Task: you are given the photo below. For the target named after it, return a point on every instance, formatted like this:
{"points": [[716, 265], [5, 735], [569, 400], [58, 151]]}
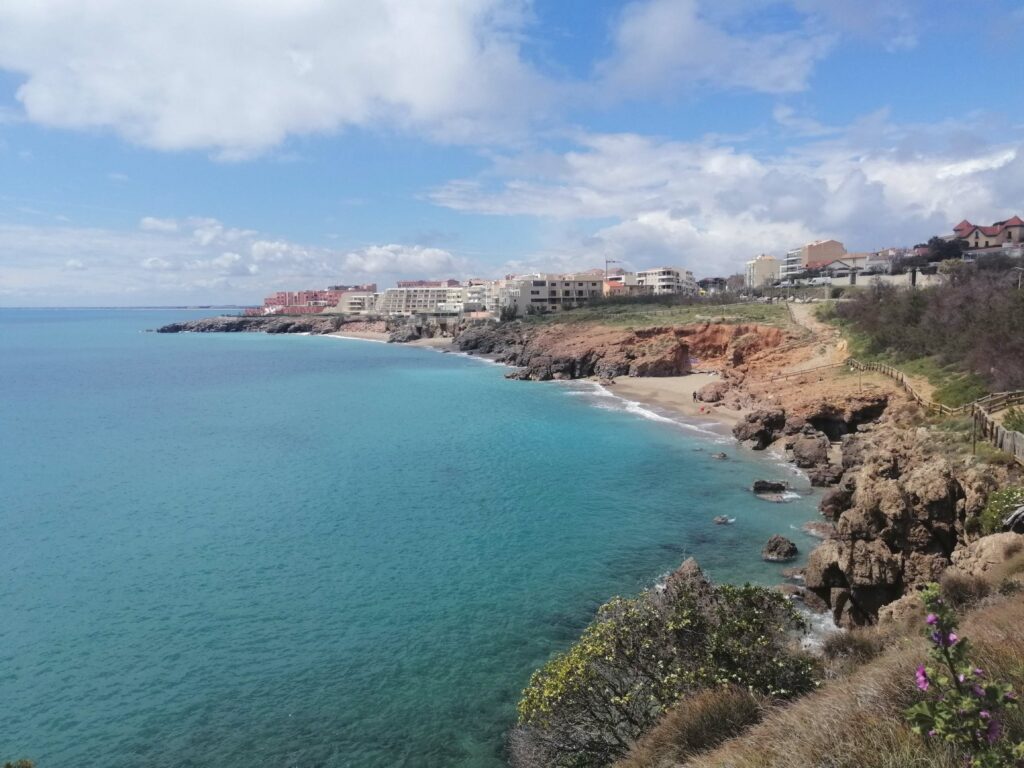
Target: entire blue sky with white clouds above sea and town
{"points": [[201, 152]]}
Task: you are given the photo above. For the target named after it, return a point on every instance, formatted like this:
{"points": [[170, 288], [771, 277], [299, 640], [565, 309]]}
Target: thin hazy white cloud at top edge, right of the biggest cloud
{"points": [[662, 47]]}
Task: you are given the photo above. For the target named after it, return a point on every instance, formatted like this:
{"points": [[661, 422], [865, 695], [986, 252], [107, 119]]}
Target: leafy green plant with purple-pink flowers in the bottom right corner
{"points": [[963, 707]]}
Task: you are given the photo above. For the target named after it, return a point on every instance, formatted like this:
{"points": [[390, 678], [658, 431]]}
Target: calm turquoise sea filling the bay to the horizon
{"points": [[248, 550]]}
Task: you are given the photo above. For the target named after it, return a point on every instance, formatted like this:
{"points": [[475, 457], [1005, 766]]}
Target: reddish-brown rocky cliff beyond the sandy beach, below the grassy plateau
{"points": [[574, 352]]}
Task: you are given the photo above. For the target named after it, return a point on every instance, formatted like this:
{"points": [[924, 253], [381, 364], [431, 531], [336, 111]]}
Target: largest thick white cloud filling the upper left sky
{"points": [[240, 77]]}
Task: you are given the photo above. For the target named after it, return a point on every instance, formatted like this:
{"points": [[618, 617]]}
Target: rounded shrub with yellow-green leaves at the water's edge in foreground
{"points": [[587, 706]]}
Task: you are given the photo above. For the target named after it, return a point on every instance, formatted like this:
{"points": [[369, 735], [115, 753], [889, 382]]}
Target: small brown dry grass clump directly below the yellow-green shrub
{"points": [[696, 724]]}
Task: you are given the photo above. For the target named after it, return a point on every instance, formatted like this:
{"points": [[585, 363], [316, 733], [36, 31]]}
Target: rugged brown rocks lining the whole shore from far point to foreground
{"points": [[897, 509]]}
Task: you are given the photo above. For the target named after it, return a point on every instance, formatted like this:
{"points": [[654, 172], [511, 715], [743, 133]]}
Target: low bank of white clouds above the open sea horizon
{"points": [[201, 262]]}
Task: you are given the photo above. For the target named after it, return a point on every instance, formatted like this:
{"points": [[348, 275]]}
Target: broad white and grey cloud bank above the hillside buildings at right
{"points": [[710, 205]]}
